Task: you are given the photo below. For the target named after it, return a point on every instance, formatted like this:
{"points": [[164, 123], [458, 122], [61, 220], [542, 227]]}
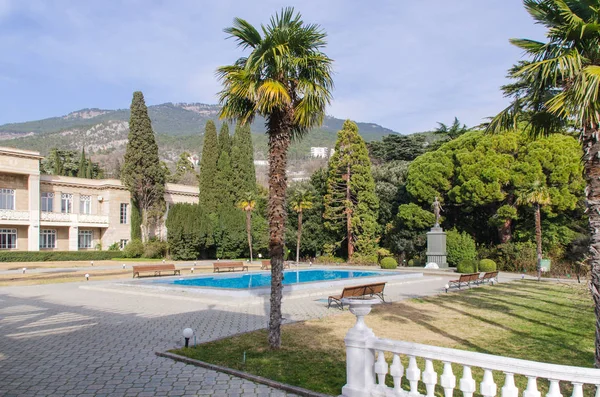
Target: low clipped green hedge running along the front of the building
{"points": [[53, 256]]}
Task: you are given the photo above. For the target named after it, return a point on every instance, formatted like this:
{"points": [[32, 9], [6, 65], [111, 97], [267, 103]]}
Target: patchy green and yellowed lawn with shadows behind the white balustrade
{"points": [[536, 321]]}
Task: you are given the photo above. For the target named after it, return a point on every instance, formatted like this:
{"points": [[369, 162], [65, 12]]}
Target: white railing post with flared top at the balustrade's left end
{"points": [[360, 360]]}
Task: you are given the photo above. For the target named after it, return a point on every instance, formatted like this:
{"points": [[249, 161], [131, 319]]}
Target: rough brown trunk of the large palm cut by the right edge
{"points": [[591, 146]]}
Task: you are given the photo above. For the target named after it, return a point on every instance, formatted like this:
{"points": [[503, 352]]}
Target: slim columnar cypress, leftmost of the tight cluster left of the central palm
{"points": [[208, 169]]}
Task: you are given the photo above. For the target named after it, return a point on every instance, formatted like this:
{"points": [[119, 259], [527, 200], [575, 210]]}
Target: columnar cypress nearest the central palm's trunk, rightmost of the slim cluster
{"points": [[242, 162]]}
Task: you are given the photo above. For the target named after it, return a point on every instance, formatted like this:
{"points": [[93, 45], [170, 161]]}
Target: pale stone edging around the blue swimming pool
{"points": [[319, 286]]}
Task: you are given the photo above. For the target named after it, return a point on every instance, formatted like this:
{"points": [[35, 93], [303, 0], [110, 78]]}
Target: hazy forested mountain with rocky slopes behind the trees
{"points": [[178, 127]]}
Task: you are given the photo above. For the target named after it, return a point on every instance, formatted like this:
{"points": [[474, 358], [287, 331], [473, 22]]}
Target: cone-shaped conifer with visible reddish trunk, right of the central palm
{"points": [[351, 205]]}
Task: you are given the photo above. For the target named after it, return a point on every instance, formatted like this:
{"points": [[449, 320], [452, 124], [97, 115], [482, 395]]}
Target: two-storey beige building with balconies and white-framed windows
{"points": [[48, 212]]}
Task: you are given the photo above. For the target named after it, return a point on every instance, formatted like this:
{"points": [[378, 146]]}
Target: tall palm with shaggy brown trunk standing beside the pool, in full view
{"points": [[286, 79]]}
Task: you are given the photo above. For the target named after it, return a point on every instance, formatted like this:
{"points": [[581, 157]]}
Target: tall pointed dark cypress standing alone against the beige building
{"points": [[142, 172]]}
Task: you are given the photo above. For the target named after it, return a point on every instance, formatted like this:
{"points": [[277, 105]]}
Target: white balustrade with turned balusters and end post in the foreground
{"points": [[367, 368]]}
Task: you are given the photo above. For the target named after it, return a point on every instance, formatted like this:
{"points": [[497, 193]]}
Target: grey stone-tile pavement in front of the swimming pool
{"points": [[64, 340]]}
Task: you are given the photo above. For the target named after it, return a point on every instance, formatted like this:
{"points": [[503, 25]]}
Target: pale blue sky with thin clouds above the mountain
{"points": [[403, 64]]}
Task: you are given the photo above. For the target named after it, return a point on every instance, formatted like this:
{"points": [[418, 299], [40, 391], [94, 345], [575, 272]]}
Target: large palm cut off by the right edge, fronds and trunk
{"points": [[558, 88]]}
